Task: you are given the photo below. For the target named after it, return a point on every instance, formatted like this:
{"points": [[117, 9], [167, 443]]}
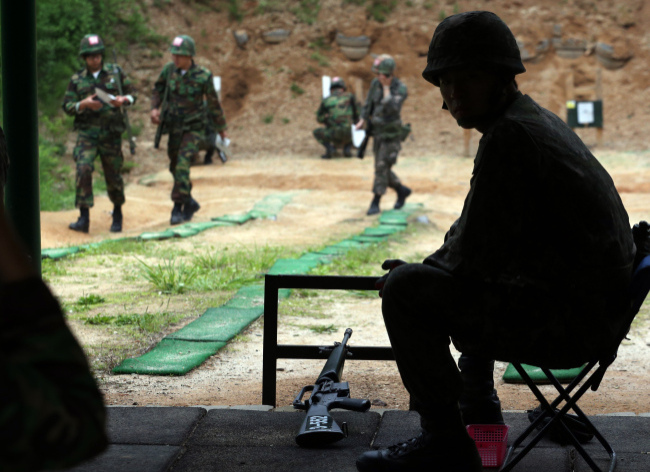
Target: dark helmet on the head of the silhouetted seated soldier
{"points": [[475, 39]]}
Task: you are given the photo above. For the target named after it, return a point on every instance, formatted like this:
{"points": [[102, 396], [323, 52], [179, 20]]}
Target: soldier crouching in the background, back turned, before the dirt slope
{"points": [[337, 112]]}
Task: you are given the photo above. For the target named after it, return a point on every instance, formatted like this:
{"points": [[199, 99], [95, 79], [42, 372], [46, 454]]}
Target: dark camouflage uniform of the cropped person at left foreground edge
{"points": [[52, 414]]}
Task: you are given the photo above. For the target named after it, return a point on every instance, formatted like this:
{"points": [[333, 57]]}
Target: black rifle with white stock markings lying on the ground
{"points": [[319, 428]]}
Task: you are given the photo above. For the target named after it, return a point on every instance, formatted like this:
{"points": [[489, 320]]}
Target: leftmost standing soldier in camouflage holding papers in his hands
{"points": [[100, 125]]}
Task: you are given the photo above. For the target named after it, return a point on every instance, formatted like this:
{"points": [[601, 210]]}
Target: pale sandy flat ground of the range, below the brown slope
{"points": [[329, 204]]}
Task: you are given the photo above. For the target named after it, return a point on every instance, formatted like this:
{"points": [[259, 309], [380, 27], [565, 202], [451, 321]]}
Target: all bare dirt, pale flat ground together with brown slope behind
{"points": [[330, 197]]}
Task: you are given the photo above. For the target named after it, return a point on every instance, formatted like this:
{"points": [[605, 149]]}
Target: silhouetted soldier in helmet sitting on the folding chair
{"points": [[535, 270]]}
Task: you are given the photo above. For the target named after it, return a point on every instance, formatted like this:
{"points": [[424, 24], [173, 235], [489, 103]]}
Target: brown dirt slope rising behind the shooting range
{"points": [[257, 79]]}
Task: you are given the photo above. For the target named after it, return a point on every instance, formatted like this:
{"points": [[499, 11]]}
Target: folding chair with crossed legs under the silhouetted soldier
{"points": [[639, 289]]}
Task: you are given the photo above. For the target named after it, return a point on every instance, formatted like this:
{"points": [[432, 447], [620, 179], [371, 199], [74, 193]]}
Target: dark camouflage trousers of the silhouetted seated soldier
{"points": [[557, 327]]}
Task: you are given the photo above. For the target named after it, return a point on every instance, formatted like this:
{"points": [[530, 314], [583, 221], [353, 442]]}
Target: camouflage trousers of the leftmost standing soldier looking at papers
{"points": [[108, 145]]}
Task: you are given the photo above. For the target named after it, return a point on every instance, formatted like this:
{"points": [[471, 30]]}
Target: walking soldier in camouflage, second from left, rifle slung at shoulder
{"points": [[189, 95]]}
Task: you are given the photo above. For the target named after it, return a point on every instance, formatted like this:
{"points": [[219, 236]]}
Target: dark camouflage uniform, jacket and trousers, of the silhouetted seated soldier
{"points": [[535, 270]]}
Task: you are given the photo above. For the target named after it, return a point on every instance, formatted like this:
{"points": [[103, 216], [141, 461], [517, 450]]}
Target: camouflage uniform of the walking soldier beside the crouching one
{"points": [[384, 114]]}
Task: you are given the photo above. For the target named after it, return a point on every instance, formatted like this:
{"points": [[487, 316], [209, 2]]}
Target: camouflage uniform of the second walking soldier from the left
{"points": [[192, 96]]}
